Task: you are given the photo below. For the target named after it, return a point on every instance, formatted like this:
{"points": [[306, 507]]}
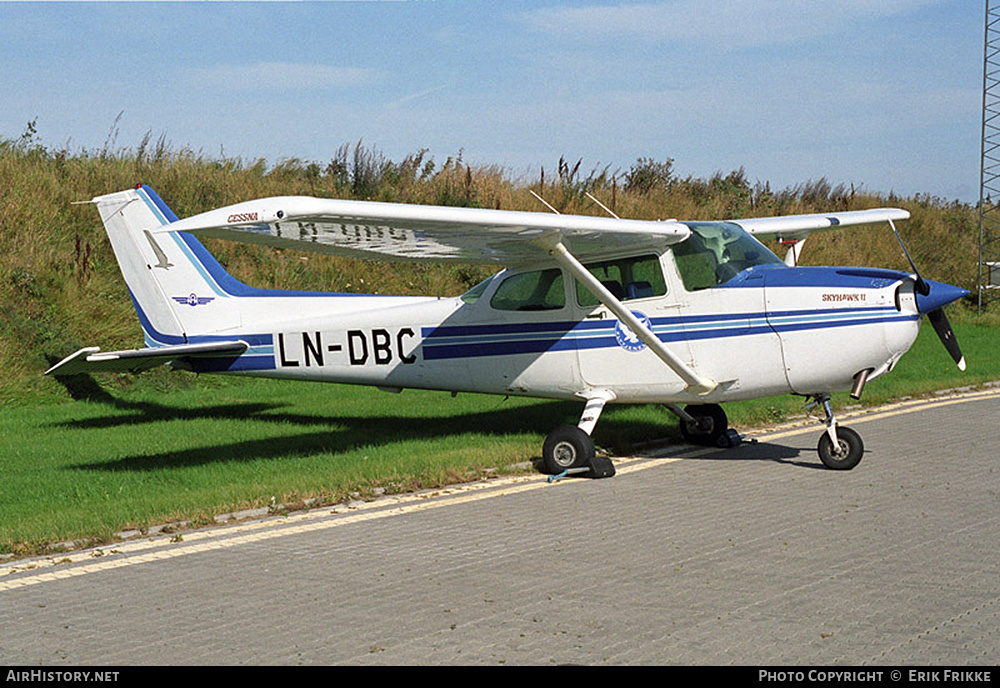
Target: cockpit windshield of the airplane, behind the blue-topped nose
{"points": [[716, 252]]}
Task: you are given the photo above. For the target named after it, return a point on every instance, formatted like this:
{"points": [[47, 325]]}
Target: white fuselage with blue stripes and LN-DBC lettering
{"points": [[772, 330]]}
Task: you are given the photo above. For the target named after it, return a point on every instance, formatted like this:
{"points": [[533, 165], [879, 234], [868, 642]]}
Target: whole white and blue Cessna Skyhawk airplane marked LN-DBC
{"points": [[595, 309]]}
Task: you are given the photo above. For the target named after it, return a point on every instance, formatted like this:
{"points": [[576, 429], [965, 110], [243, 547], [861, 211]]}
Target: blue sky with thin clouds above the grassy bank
{"points": [[882, 94]]}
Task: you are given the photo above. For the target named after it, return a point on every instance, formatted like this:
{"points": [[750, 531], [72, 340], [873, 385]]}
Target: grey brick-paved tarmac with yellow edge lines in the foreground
{"points": [[755, 555]]}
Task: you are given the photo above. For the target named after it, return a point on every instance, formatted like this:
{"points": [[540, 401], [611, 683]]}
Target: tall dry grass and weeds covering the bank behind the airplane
{"points": [[60, 287]]}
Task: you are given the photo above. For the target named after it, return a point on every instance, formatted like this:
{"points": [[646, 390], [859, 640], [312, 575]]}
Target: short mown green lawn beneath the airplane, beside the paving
{"points": [[85, 470]]}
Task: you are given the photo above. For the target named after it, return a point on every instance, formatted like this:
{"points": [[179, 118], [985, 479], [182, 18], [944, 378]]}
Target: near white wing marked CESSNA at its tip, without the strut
{"points": [[394, 231]]}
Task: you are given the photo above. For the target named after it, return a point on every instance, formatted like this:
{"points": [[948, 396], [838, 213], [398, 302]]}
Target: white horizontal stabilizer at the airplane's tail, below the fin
{"points": [[92, 360]]}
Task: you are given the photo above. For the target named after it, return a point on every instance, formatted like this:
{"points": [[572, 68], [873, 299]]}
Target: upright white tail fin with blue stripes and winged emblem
{"points": [[177, 287]]}
